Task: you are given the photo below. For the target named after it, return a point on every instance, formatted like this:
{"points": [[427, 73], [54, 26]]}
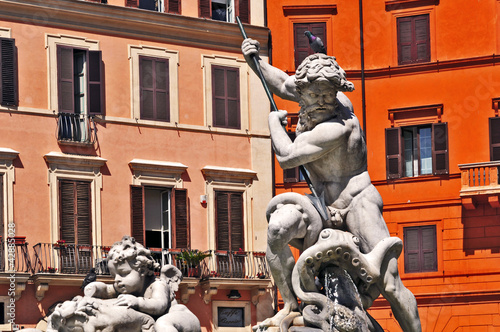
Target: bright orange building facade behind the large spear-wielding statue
{"points": [[427, 92]]}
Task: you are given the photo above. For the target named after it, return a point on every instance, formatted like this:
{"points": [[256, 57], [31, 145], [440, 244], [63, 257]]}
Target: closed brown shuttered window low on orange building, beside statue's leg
{"points": [[420, 249]]}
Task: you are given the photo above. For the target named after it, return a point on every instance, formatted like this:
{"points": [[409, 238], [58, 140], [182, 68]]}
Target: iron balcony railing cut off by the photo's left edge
{"points": [[14, 255]]}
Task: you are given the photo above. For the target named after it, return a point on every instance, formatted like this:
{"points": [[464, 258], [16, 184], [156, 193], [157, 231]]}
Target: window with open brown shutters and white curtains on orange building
{"points": [[417, 150]]}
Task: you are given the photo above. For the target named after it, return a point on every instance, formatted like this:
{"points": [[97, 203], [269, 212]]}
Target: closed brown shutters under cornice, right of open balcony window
{"points": [[229, 220]]}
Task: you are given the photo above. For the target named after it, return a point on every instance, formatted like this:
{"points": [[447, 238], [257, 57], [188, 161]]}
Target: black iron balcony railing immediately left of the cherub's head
{"points": [[70, 258]]}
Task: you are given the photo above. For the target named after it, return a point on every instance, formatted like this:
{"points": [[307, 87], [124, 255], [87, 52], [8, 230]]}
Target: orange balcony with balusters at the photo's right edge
{"points": [[480, 183]]}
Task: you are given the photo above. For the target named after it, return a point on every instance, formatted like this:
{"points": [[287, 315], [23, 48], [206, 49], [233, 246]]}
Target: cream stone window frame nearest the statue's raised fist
{"points": [[218, 60]]}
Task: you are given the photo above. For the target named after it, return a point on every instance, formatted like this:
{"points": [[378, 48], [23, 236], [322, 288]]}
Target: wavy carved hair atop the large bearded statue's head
{"points": [[321, 67]]}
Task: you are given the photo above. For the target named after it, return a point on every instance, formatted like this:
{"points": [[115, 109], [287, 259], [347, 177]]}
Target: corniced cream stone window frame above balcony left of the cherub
{"points": [[75, 167]]}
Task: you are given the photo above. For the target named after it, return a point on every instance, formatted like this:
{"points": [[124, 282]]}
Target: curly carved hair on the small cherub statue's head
{"points": [[138, 256]]}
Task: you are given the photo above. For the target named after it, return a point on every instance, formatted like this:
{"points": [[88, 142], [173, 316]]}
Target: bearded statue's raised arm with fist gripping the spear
{"points": [[279, 82]]}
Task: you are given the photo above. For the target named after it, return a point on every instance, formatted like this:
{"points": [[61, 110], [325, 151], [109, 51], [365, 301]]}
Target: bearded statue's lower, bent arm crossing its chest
{"points": [[308, 146]]}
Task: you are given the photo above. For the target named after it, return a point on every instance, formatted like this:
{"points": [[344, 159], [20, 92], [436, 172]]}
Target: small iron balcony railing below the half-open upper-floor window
{"points": [[76, 128]]}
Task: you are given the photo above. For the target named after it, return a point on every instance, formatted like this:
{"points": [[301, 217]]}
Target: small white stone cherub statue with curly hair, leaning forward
{"points": [[136, 301]]}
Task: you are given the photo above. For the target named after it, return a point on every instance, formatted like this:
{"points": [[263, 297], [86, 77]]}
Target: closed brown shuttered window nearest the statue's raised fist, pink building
{"points": [[226, 97]]}
